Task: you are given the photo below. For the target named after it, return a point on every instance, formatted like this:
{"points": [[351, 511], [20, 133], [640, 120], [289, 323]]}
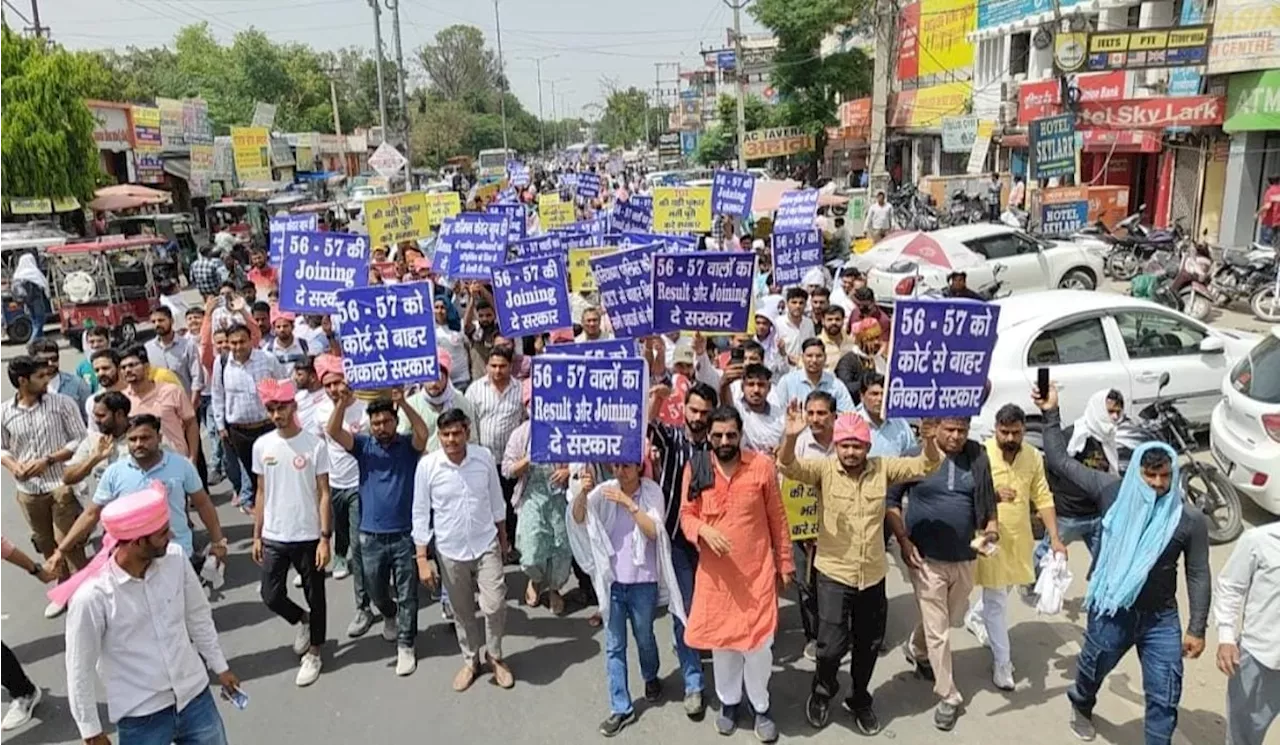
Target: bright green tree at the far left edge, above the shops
{"points": [[47, 131]]}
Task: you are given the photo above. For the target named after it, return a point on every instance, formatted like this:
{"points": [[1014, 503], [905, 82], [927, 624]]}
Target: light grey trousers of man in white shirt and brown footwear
{"points": [[463, 582]]}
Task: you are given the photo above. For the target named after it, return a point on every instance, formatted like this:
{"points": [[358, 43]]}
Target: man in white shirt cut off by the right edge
{"points": [[1247, 596]]}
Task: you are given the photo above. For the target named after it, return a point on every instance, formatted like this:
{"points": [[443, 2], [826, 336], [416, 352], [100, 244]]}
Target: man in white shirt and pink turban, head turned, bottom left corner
{"points": [[147, 620]]}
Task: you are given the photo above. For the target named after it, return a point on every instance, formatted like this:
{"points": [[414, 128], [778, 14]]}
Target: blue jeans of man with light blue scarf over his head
{"points": [[1159, 638]]}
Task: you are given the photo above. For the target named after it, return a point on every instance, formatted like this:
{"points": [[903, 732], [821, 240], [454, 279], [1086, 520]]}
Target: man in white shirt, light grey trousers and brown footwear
{"points": [[459, 504]]}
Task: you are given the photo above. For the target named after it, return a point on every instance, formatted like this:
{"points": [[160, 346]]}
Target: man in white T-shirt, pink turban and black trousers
{"points": [[292, 522]]}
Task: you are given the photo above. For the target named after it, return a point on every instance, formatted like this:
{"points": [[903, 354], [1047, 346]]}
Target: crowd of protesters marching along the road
{"points": [[435, 488]]}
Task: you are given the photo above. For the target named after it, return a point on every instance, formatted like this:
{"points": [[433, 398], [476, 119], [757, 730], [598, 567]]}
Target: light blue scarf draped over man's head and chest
{"points": [[1135, 533]]}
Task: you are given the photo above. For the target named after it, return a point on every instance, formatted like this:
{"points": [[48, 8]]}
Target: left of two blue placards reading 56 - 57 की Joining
{"points": [[317, 266]]}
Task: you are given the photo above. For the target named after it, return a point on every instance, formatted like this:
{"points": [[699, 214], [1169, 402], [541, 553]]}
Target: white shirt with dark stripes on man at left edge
{"points": [[33, 433]]}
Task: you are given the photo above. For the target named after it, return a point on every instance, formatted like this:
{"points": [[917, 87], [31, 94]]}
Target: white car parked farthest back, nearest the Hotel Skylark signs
{"points": [[1030, 264]]}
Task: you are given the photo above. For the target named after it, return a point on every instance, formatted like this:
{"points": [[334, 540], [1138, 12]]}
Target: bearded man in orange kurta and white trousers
{"points": [[737, 520]]}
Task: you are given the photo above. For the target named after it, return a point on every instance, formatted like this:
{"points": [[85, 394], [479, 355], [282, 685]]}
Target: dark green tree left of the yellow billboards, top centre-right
{"points": [[810, 85]]}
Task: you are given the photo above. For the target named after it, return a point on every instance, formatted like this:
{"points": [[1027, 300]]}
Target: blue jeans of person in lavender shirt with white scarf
{"points": [[636, 602]]}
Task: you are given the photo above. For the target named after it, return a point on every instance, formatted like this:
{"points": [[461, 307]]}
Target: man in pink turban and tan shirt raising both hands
{"points": [[849, 563]]}
